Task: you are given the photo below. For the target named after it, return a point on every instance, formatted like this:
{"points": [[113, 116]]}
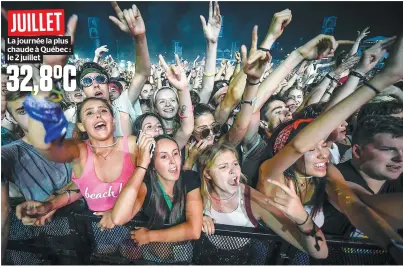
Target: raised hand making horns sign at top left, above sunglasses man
{"points": [[130, 20]]}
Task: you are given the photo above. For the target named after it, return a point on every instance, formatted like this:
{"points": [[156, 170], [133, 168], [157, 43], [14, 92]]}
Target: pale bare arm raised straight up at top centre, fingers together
{"points": [[211, 30]]}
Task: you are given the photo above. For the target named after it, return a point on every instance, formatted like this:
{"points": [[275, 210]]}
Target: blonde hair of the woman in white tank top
{"points": [[205, 161]]}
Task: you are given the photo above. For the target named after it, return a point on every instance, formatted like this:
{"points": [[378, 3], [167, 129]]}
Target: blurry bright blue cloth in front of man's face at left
{"points": [[50, 114]]}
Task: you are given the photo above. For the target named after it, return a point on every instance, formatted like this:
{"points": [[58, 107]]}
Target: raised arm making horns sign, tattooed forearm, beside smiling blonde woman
{"points": [[177, 78]]}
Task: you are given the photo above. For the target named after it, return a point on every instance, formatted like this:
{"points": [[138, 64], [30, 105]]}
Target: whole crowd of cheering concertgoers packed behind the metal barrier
{"points": [[301, 151]]}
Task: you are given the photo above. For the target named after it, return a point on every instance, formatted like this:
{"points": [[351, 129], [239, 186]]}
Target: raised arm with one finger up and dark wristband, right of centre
{"points": [[254, 67]]}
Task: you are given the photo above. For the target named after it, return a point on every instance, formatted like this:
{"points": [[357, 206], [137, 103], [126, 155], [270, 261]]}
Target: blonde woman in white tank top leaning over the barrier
{"points": [[227, 200]]}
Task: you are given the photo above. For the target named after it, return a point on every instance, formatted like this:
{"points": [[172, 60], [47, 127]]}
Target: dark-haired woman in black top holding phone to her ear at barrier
{"points": [[169, 197]]}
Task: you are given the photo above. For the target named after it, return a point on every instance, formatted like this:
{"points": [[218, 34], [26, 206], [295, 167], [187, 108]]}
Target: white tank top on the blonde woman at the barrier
{"points": [[236, 218]]}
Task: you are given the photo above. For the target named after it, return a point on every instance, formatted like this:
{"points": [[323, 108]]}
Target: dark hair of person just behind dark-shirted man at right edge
{"points": [[380, 108]]}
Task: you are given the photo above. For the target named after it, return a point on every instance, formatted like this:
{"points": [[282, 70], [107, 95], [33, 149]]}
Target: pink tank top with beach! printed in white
{"points": [[101, 196]]}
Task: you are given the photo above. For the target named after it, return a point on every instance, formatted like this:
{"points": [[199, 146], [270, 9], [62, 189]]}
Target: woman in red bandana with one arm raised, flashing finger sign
{"points": [[301, 160]]}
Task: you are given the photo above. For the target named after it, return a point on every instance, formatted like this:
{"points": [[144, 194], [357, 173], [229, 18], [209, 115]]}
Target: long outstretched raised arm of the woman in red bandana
{"points": [[320, 128]]}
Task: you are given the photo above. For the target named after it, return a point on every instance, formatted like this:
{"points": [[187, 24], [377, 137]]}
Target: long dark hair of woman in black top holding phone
{"points": [[160, 212]]}
